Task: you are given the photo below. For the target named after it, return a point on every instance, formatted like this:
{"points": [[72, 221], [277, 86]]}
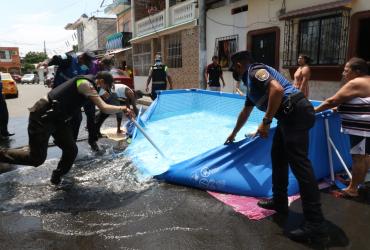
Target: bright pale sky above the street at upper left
{"points": [[27, 24]]}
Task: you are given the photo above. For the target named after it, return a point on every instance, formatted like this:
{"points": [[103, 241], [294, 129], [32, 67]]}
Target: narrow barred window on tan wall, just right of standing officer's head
{"points": [[174, 50]]}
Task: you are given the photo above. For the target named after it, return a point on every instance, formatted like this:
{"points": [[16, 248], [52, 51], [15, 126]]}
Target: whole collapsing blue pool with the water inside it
{"points": [[190, 127]]}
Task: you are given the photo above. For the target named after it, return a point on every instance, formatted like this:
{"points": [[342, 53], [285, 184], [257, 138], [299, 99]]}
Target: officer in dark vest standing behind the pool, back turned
{"points": [[159, 76]]}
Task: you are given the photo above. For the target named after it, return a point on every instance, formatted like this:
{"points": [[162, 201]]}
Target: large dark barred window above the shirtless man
{"points": [[324, 39]]}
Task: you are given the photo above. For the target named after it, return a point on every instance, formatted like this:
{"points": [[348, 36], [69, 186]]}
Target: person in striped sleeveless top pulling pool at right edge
{"points": [[353, 102]]}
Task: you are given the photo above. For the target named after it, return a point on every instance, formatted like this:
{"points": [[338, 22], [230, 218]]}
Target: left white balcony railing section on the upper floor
{"points": [[150, 24]]}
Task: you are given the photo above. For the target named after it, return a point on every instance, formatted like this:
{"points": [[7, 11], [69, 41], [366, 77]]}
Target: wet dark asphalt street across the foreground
{"points": [[104, 203]]}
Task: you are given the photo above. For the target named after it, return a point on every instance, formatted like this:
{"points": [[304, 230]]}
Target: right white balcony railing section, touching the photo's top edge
{"points": [[183, 12]]}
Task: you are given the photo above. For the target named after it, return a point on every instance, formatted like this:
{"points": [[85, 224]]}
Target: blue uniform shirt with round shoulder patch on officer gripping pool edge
{"points": [[257, 79]]}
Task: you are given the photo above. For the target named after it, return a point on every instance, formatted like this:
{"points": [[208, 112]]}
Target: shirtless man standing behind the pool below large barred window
{"points": [[302, 75]]}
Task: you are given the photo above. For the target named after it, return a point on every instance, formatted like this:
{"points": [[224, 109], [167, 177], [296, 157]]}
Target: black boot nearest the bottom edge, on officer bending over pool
{"points": [[313, 232]]}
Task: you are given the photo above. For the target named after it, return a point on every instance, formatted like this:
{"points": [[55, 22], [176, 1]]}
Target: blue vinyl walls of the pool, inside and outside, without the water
{"points": [[244, 167]]}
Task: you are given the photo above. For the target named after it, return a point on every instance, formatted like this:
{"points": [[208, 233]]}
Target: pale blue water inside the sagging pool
{"points": [[181, 137]]}
